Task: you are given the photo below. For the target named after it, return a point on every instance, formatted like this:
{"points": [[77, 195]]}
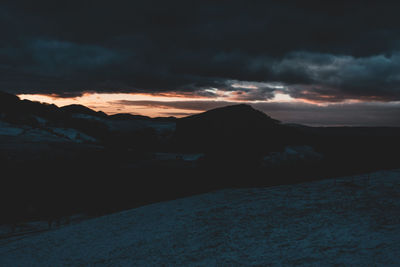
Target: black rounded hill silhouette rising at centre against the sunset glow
{"points": [[233, 128]]}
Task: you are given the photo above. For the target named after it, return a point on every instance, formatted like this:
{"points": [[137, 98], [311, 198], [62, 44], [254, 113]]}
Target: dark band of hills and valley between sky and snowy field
{"points": [[56, 162]]}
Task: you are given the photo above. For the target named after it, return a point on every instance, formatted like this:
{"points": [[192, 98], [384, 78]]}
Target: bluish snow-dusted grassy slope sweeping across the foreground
{"points": [[350, 221]]}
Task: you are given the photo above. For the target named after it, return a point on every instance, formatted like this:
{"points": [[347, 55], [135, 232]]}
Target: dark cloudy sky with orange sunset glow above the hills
{"points": [[309, 62]]}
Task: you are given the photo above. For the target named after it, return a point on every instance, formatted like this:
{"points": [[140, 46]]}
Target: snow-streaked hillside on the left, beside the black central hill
{"points": [[41, 122]]}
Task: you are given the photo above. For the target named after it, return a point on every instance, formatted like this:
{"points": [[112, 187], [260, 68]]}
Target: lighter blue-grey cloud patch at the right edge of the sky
{"points": [[338, 77]]}
